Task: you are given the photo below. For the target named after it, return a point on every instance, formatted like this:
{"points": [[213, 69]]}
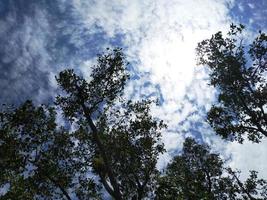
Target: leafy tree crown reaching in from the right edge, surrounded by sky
{"points": [[239, 74]]}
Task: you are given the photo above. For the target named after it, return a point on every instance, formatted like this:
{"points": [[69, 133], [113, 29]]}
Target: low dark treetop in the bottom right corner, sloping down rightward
{"points": [[199, 174]]}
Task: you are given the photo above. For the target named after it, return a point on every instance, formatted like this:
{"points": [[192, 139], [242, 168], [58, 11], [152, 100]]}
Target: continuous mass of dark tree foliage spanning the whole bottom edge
{"points": [[108, 145]]}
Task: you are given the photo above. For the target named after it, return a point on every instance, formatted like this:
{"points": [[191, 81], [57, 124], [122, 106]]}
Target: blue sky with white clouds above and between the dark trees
{"points": [[40, 38]]}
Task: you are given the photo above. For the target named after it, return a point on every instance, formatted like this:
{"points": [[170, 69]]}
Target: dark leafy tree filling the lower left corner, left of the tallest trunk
{"points": [[36, 158]]}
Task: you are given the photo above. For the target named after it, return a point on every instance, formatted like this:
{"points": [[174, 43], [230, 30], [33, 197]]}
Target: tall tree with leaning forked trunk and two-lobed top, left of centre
{"points": [[121, 137]]}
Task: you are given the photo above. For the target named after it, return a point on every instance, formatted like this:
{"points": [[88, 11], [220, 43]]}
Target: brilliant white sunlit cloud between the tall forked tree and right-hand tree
{"points": [[161, 37]]}
